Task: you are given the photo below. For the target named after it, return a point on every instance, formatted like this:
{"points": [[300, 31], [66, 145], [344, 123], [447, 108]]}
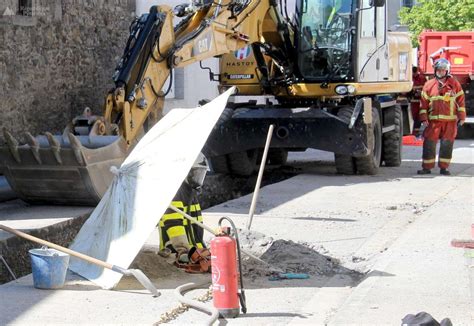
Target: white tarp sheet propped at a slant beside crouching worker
{"points": [[141, 191]]}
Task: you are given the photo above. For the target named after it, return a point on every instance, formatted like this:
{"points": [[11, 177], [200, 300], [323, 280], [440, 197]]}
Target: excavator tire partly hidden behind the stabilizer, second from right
{"points": [[370, 163]]}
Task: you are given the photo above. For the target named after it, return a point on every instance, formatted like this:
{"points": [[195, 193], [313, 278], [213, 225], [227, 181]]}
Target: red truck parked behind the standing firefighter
{"points": [[458, 48]]}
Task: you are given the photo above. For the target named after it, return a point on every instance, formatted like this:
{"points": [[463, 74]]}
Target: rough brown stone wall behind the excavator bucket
{"points": [[58, 60]]}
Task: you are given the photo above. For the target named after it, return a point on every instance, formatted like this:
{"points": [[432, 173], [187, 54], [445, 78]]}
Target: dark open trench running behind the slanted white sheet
{"points": [[217, 189]]}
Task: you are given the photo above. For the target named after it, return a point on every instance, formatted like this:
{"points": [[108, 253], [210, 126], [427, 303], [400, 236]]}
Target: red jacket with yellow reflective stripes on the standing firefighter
{"points": [[442, 101]]}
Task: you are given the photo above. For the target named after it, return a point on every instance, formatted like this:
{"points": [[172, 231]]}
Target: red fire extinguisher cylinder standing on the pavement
{"points": [[224, 276]]}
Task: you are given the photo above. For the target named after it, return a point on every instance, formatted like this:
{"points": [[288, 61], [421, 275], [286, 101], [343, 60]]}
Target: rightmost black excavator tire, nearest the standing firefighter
{"points": [[392, 140]]}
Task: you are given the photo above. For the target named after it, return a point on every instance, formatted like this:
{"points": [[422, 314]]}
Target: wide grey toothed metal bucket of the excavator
{"points": [[61, 169]]}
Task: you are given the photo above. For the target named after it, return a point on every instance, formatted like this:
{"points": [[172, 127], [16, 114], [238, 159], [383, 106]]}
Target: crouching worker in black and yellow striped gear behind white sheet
{"points": [[180, 237]]}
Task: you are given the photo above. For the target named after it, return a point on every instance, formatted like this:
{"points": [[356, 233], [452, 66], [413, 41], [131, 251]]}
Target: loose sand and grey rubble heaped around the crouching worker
{"points": [[276, 256]]}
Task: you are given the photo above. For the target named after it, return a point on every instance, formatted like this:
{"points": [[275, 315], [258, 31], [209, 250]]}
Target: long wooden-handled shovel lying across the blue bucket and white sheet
{"points": [[138, 274]]}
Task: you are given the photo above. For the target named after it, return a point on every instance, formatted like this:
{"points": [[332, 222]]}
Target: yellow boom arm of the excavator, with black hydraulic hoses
{"points": [[210, 31]]}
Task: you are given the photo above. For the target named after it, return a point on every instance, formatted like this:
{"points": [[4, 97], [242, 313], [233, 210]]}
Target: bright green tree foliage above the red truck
{"points": [[440, 15]]}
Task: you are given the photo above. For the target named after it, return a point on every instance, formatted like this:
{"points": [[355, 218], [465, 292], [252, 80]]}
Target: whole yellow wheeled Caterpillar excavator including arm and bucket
{"points": [[327, 73]]}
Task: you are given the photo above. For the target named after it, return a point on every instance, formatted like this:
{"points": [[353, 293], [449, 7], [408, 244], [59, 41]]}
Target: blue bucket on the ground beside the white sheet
{"points": [[49, 268]]}
